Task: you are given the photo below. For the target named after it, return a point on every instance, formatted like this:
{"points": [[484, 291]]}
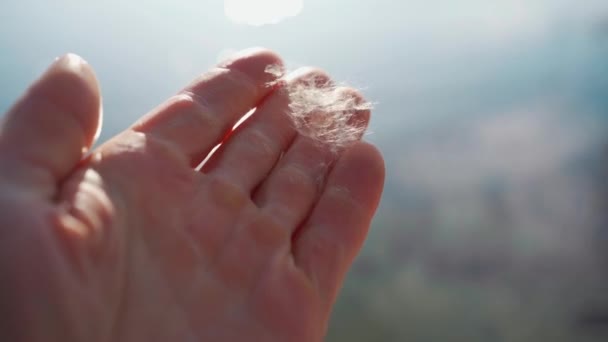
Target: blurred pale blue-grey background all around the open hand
{"points": [[492, 116]]}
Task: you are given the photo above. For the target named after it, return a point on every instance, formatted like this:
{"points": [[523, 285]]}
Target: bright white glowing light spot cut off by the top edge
{"points": [[261, 12]]}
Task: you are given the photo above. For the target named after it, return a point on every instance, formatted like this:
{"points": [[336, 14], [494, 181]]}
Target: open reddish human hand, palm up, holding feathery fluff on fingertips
{"points": [[130, 242]]}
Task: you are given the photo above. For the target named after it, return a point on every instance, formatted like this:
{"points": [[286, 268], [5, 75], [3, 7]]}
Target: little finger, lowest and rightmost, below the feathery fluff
{"points": [[334, 233]]}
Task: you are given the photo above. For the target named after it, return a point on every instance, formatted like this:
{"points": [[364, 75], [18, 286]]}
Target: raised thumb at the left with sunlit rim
{"points": [[46, 132]]}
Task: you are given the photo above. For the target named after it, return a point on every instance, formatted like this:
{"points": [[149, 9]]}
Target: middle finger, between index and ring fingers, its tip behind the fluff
{"points": [[249, 154]]}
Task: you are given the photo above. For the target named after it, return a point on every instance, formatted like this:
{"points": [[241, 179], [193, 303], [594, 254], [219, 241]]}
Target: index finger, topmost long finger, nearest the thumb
{"points": [[200, 116]]}
